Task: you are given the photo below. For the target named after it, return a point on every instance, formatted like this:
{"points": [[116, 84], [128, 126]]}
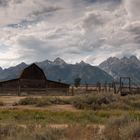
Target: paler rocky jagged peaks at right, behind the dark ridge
{"points": [[124, 67]]}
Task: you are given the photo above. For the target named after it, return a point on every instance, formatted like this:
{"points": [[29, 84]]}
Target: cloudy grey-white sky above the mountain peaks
{"points": [[75, 30]]}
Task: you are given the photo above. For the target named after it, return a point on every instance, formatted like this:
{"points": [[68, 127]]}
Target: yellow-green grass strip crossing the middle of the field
{"points": [[49, 117]]}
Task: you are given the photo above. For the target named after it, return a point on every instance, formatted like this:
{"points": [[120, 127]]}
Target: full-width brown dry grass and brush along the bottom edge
{"points": [[116, 128]]}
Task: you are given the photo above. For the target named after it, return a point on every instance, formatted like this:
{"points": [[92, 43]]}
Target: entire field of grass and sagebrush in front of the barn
{"points": [[86, 117]]}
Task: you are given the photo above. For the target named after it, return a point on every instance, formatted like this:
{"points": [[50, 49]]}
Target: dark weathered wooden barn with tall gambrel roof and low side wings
{"points": [[32, 79]]}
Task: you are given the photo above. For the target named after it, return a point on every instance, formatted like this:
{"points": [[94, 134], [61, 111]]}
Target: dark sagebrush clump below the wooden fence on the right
{"points": [[107, 101]]}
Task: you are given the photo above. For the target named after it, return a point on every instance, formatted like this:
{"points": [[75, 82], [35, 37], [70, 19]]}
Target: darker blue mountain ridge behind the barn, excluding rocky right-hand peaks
{"points": [[59, 70]]}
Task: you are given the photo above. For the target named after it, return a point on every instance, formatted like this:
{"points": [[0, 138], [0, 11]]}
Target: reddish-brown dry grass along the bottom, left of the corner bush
{"points": [[76, 132]]}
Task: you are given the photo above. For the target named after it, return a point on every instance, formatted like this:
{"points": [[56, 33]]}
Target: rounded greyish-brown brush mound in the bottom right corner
{"points": [[122, 128]]}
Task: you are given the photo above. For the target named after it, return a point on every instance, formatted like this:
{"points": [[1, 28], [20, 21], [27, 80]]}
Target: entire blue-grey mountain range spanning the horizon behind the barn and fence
{"points": [[59, 70]]}
